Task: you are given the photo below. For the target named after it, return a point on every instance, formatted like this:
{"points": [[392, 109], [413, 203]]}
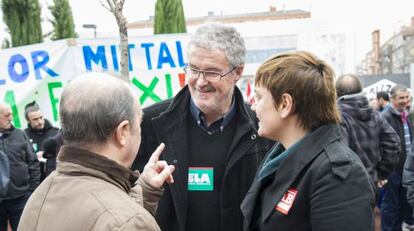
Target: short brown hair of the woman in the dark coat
{"points": [[310, 82]]}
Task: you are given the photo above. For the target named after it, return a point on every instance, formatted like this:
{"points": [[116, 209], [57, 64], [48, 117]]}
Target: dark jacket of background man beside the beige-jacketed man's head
{"points": [[37, 137]]}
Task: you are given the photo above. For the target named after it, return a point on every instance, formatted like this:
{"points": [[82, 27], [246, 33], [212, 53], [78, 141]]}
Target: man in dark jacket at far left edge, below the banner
{"points": [[24, 169]]}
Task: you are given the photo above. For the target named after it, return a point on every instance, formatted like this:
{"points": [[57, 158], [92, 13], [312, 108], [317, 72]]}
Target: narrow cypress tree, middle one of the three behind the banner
{"points": [[63, 25]]}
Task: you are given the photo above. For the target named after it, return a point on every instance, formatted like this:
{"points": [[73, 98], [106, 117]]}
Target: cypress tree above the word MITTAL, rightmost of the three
{"points": [[169, 17]]}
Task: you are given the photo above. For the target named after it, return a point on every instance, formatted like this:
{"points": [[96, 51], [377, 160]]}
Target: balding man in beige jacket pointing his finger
{"points": [[93, 187]]}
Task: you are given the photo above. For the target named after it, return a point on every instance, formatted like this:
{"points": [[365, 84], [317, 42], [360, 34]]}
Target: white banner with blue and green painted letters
{"points": [[39, 72]]}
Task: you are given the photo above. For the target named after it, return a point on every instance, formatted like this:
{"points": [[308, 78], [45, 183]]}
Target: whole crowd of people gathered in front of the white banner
{"points": [[311, 152]]}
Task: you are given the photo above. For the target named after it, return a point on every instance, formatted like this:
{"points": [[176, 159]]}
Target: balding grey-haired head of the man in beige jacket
{"points": [[93, 105]]}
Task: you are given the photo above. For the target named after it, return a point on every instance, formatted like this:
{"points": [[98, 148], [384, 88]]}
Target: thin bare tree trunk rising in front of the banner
{"points": [[115, 7]]}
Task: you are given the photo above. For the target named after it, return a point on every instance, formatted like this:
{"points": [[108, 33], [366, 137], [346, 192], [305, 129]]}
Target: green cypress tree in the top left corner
{"points": [[22, 18]]}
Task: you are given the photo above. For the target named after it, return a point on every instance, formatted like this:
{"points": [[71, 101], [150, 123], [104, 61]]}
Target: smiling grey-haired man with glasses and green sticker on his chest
{"points": [[209, 134]]}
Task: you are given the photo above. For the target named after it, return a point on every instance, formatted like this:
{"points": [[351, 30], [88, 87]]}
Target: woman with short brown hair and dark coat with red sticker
{"points": [[310, 180]]}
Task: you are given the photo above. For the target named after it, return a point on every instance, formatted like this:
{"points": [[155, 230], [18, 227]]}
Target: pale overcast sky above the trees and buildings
{"points": [[359, 17]]}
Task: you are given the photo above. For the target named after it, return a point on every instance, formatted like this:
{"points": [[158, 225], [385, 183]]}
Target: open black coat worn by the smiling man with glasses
{"points": [[168, 122]]}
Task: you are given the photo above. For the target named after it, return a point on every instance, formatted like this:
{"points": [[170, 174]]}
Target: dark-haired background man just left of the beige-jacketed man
{"points": [[38, 129]]}
